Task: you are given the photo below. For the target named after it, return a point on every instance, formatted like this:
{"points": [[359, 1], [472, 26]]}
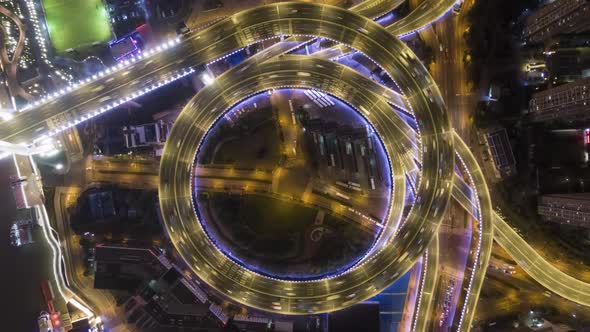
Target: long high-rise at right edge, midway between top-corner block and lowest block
{"points": [[568, 102]]}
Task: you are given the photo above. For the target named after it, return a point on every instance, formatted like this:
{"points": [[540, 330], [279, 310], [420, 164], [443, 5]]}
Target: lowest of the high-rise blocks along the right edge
{"points": [[569, 209]]}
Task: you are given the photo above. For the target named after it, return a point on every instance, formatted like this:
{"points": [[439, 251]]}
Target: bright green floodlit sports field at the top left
{"points": [[76, 23]]}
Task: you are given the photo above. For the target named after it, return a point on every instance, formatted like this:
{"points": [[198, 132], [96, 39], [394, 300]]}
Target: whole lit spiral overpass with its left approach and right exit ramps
{"points": [[435, 153]]}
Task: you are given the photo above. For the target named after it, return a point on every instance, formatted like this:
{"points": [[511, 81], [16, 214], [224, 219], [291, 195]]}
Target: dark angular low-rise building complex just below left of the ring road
{"points": [[164, 299]]}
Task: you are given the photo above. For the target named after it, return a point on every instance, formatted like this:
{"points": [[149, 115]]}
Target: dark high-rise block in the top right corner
{"points": [[558, 17]]}
